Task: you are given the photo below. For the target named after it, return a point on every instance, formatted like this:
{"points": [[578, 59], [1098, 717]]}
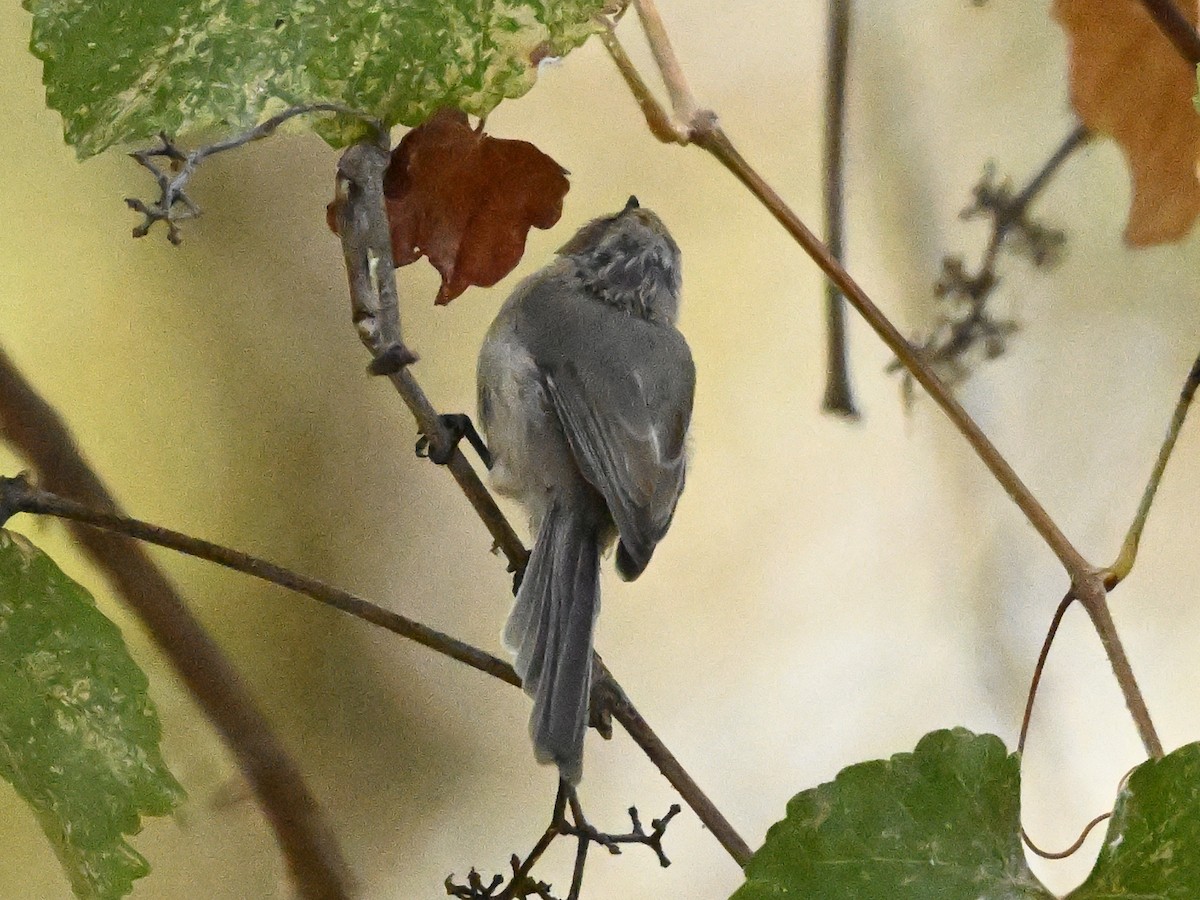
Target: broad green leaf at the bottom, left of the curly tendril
{"points": [[939, 824]]}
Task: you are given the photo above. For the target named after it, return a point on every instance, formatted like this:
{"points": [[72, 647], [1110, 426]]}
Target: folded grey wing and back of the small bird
{"points": [[623, 391]]}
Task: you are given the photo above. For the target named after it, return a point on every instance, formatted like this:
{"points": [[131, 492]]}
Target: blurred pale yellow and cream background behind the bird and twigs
{"points": [[829, 593]]}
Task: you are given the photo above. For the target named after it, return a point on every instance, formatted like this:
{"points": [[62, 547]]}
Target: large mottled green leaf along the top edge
{"points": [[122, 73]]}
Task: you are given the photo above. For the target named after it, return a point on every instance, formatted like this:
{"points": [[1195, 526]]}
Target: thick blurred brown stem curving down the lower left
{"points": [[31, 425]]}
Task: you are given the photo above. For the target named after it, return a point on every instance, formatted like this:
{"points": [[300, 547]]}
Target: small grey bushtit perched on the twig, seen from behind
{"points": [[585, 394]]}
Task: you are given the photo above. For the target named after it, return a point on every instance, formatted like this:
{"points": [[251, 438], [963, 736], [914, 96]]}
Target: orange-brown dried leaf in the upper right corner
{"points": [[1127, 81]]}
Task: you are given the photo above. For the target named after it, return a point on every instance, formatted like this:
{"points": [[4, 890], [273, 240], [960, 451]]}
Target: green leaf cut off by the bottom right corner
{"points": [[1153, 848]]}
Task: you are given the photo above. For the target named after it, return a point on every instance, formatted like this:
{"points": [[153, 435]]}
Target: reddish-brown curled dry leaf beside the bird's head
{"points": [[467, 201]]}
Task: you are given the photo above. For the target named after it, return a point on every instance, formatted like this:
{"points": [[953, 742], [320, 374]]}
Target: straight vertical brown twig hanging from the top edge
{"points": [[839, 397]]}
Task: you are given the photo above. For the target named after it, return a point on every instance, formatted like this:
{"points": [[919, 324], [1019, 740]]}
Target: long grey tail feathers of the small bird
{"points": [[550, 632]]}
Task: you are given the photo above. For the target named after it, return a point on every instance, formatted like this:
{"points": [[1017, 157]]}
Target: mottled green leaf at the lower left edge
{"points": [[79, 735]]}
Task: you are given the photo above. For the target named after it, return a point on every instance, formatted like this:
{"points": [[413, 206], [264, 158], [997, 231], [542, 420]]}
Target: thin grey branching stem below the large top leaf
{"points": [[173, 183]]}
